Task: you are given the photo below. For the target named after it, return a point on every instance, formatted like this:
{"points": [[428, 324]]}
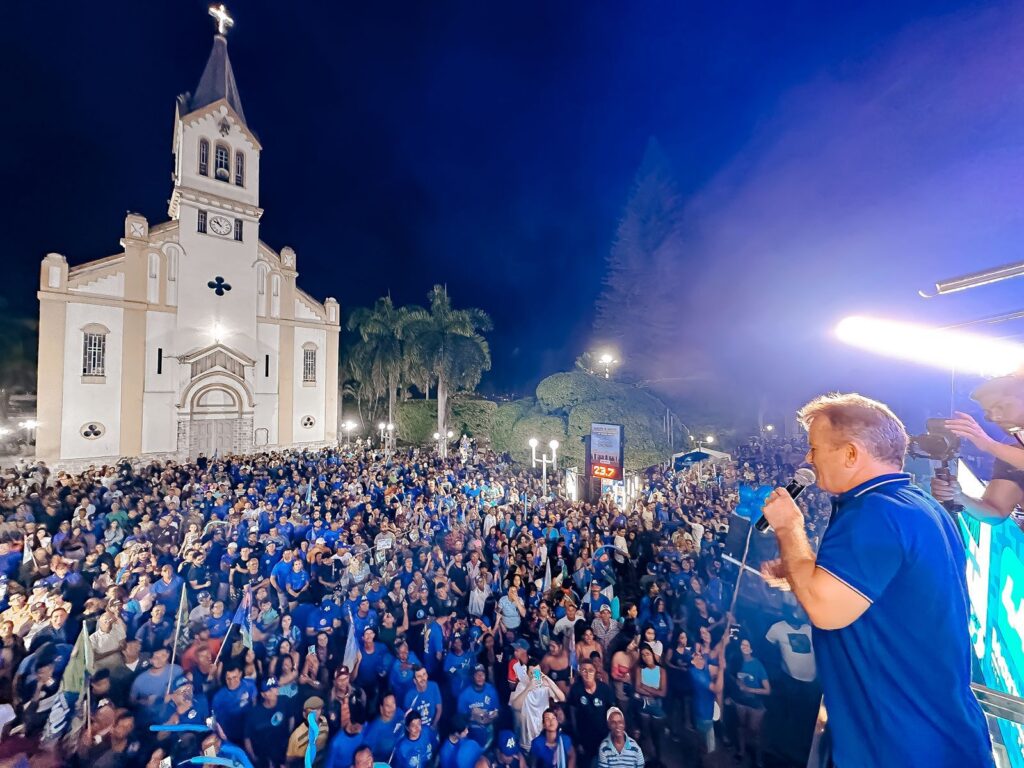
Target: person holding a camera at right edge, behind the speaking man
{"points": [[1003, 401]]}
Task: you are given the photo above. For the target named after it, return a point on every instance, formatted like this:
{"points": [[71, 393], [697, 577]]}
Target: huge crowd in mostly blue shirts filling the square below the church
{"points": [[351, 607]]}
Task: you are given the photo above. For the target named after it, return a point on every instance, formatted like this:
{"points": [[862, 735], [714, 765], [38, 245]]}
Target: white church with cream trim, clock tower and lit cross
{"points": [[194, 337]]}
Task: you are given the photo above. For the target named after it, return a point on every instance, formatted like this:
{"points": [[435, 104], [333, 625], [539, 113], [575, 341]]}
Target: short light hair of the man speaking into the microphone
{"points": [[871, 424]]}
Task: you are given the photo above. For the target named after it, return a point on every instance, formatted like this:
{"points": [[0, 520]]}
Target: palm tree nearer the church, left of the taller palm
{"points": [[382, 330]]}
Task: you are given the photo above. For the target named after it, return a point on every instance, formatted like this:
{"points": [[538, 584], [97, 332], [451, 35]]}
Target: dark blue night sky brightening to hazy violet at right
{"points": [[831, 158]]}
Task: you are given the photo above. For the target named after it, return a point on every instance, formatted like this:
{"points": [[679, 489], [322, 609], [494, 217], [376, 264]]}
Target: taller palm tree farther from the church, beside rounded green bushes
{"points": [[450, 343]]}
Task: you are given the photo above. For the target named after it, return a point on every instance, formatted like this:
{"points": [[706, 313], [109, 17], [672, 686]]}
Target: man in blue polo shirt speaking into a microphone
{"points": [[887, 595]]}
